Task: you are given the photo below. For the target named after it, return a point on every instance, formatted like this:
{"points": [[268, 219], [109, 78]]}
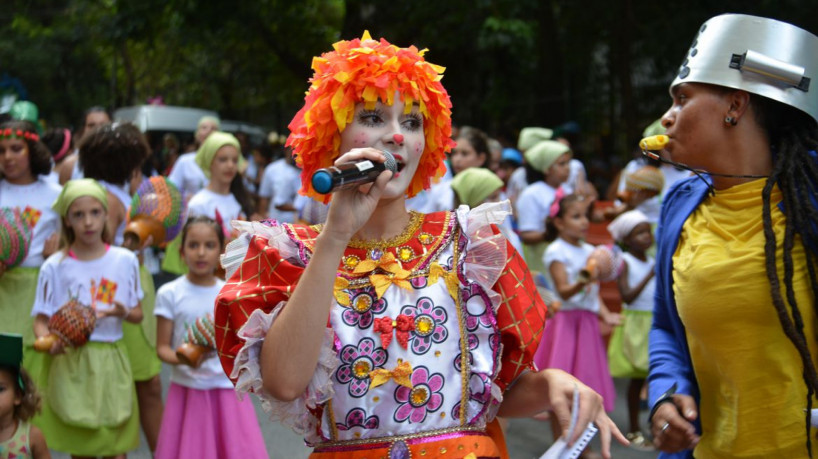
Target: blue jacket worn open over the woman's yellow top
{"points": [[668, 351]]}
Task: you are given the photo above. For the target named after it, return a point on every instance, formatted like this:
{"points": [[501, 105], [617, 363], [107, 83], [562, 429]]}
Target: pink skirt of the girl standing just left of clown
{"points": [[209, 424]]}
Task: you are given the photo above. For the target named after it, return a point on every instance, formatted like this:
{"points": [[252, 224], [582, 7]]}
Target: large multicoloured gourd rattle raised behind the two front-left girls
{"points": [[157, 210]]}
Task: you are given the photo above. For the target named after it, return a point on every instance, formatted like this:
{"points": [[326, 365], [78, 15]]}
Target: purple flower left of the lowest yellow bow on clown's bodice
{"points": [[356, 364]]}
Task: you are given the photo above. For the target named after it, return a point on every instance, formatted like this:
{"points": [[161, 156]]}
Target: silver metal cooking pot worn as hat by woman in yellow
{"points": [[761, 56]]}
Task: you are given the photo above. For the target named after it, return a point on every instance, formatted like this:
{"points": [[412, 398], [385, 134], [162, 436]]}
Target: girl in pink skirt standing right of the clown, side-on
{"points": [[572, 341]]}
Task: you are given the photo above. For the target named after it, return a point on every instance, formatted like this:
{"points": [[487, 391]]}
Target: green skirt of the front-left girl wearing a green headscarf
{"points": [[90, 404]]}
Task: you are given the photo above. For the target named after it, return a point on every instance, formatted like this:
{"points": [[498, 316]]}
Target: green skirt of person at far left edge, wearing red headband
{"points": [[18, 290]]}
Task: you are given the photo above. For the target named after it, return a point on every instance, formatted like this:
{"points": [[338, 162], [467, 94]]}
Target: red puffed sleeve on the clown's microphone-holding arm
{"points": [[262, 281]]}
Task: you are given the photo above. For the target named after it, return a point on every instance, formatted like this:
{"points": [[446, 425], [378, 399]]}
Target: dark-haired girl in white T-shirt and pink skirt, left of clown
{"points": [[203, 417]]}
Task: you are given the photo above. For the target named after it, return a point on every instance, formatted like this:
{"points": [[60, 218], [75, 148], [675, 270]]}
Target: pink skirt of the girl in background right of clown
{"points": [[572, 342]]}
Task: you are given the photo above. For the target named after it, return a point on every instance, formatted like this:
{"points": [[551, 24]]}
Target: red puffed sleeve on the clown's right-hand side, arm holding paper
{"points": [[520, 316]]}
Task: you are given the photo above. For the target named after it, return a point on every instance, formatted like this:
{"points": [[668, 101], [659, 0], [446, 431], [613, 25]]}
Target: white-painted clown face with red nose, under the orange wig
{"points": [[387, 127]]}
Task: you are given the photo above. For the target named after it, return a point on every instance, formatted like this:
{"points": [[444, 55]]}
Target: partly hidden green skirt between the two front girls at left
{"points": [[140, 339]]}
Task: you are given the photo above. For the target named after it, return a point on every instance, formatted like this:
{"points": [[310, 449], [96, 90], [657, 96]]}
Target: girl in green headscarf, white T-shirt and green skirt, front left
{"points": [[91, 407]]}
